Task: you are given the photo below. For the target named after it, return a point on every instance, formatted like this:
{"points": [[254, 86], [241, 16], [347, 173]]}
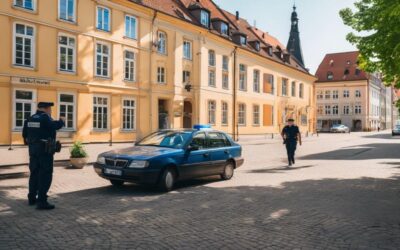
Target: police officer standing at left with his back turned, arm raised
{"points": [[39, 133]]}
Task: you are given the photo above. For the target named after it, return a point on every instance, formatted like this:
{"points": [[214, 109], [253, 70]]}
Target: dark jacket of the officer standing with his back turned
{"points": [[40, 126]]}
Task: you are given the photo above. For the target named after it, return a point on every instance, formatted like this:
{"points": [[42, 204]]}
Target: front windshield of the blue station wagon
{"points": [[167, 139]]}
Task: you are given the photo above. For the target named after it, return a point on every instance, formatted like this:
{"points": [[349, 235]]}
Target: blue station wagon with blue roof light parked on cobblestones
{"points": [[167, 156]]}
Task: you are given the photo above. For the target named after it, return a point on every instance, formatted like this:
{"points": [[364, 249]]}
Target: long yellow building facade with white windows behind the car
{"points": [[119, 70]]}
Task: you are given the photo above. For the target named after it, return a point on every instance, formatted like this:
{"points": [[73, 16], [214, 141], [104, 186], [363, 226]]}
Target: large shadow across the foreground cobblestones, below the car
{"points": [[327, 213]]}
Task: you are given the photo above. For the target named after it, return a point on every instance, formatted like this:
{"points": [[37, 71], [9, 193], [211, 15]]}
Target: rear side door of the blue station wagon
{"points": [[219, 152]]}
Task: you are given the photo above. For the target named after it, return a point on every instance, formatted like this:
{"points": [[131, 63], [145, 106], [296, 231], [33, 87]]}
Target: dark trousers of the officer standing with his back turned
{"points": [[41, 168]]}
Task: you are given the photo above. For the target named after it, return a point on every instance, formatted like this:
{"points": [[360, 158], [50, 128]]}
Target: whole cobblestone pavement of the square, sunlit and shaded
{"points": [[344, 193]]}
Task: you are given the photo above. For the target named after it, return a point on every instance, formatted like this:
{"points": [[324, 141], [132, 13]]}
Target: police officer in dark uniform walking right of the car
{"points": [[291, 134]]}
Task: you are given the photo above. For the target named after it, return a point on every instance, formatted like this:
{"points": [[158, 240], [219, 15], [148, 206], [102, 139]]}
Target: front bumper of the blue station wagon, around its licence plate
{"points": [[140, 176]]}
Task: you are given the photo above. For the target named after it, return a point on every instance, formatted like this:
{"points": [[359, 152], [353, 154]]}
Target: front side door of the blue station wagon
{"points": [[195, 162]]}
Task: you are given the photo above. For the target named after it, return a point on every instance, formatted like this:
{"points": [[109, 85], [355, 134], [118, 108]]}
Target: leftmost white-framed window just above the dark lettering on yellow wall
{"points": [[33, 45]]}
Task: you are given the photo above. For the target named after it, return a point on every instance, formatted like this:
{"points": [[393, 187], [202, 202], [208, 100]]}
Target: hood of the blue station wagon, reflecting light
{"points": [[140, 152]]}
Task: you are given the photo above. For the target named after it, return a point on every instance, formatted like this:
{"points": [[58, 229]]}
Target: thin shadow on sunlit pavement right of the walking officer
{"points": [[361, 152]]}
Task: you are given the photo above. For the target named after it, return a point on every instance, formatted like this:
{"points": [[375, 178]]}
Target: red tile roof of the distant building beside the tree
{"points": [[343, 66]]}
